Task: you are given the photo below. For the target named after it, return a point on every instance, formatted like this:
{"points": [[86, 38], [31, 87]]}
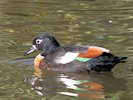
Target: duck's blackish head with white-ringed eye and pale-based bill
{"points": [[44, 42]]}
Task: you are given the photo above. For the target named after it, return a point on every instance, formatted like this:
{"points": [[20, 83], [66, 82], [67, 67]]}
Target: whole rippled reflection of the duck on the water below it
{"points": [[93, 86]]}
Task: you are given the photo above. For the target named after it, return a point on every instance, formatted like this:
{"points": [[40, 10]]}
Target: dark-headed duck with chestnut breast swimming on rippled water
{"points": [[71, 58]]}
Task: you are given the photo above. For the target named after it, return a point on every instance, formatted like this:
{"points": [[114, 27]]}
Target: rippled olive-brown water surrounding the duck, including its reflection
{"points": [[106, 23]]}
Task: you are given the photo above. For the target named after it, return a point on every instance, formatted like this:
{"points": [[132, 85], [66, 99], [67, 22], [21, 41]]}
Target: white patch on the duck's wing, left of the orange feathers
{"points": [[68, 57]]}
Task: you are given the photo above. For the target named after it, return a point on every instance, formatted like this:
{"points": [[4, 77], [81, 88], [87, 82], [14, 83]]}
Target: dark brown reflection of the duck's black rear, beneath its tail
{"points": [[111, 84]]}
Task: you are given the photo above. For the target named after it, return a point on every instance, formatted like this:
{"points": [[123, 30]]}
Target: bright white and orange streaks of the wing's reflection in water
{"points": [[92, 89]]}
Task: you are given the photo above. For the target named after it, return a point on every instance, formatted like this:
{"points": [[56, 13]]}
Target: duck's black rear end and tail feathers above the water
{"points": [[105, 62]]}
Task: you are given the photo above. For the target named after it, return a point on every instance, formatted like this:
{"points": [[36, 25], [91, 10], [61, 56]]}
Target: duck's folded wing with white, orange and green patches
{"points": [[91, 52]]}
